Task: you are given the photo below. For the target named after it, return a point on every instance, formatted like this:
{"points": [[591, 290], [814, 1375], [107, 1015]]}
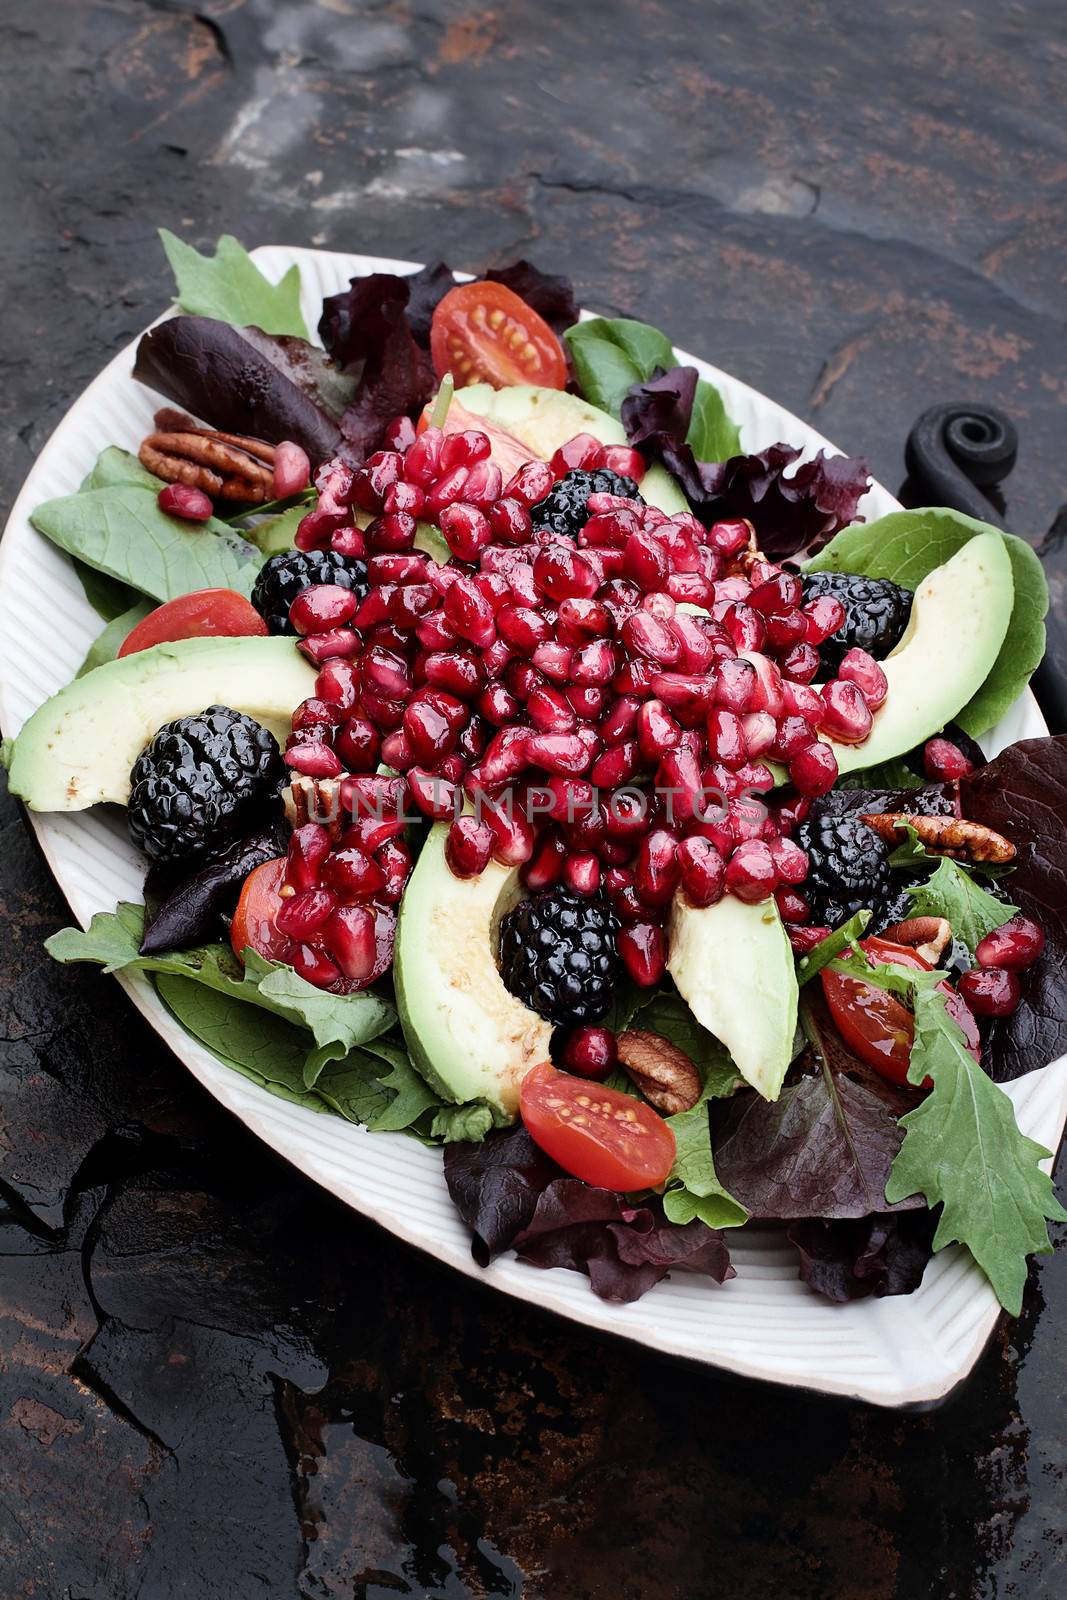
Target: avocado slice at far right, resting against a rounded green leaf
{"points": [[959, 622]]}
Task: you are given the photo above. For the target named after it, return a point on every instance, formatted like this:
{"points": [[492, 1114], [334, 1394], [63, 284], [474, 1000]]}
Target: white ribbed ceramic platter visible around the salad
{"points": [[764, 1324]]}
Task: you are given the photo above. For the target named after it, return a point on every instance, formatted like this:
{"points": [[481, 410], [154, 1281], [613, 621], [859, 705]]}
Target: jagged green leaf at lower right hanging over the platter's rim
{"points": [[964, 1151]]}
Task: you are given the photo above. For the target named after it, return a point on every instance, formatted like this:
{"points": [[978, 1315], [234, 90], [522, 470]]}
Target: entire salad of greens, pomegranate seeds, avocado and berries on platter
{"points": [[526, 769]]}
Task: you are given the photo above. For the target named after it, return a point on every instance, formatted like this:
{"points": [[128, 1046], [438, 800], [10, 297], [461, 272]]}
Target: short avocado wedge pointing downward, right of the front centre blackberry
{"points": [[735, 969]]}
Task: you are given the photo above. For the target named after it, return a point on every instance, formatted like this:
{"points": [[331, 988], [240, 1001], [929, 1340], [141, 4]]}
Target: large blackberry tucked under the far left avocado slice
{"points": [[201, 783]]}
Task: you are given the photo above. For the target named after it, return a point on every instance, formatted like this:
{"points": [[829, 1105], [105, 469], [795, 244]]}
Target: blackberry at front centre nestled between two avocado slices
{"points": [[559, 956]]}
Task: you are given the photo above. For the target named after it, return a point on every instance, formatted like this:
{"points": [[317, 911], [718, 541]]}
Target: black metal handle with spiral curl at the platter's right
{"points": [[954, 452]]}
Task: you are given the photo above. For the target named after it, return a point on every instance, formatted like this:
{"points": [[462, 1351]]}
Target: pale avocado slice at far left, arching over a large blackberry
{"points": [[79, 748]]}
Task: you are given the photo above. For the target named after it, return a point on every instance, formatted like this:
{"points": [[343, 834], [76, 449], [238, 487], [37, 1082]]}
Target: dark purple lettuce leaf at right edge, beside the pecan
{"points": [[1023, 794]]}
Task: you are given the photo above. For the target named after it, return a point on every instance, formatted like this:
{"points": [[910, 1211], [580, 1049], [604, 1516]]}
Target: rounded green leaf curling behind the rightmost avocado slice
{"points": [[908, 545]]}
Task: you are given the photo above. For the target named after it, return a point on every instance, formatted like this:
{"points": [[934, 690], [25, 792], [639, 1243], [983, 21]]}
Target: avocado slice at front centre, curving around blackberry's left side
{"points": [[468, 1036]]}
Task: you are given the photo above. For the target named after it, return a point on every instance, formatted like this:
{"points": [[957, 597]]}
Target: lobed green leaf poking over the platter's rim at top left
{"points": [[231, 287]]}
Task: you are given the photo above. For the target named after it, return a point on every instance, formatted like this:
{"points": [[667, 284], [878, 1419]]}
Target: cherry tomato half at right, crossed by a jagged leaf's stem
{"points": [[876, 1025]]}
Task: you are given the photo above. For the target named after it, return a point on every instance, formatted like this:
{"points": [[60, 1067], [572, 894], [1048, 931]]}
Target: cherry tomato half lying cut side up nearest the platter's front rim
{"points": [[607, 1138]]}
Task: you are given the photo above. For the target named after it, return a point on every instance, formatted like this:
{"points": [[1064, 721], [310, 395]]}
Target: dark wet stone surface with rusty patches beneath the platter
{"points": [[217, 1382]]}
